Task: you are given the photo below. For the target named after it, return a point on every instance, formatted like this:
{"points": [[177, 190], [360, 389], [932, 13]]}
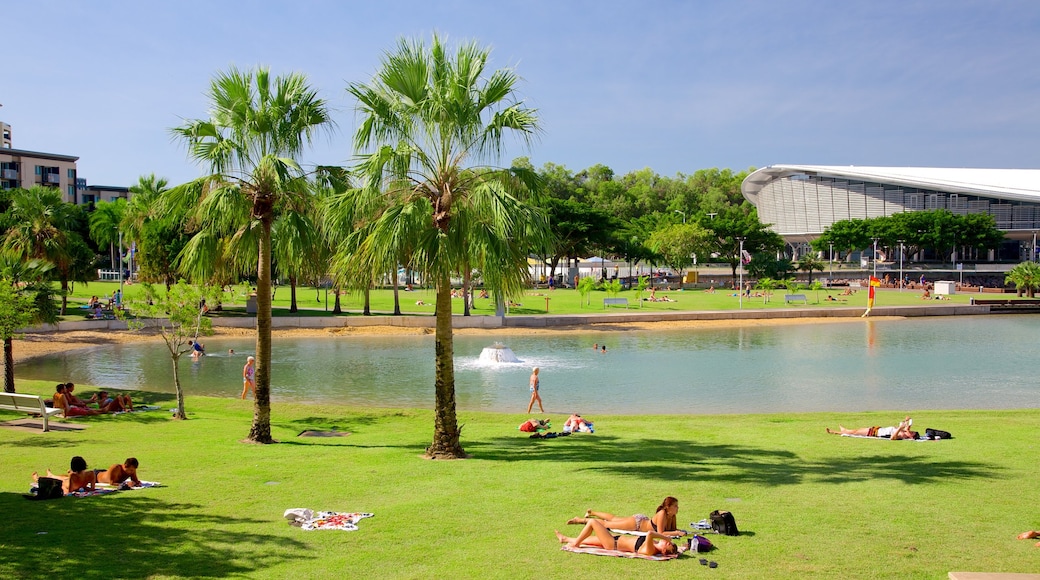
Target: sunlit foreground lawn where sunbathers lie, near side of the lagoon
{"points": [[810, 505]]}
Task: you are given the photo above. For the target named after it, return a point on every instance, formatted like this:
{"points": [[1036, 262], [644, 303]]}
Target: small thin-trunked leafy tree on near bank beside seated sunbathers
{"points": [[178, 315]]}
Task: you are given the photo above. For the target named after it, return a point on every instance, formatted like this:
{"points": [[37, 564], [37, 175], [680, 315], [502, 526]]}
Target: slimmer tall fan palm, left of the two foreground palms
{"points": [[257, 129]]}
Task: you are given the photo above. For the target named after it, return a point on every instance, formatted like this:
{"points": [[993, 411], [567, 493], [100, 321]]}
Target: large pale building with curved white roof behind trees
{"points": [[800, 202]]}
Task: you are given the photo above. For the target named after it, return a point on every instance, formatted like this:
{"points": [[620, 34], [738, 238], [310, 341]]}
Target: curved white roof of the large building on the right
{"points": [[1021, 186]]}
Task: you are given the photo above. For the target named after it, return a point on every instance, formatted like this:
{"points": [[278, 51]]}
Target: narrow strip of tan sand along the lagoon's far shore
{"points": [[38, 345]]}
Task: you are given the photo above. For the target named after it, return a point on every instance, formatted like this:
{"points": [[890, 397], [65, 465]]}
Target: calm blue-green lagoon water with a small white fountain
{"points": [[935, 363]]}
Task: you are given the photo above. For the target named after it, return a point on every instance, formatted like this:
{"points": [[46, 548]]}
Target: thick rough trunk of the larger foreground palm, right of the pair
{"points": [[447, 432]]}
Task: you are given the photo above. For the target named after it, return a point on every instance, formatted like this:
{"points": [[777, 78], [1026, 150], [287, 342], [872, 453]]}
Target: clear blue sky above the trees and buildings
{"points": [[671, 86]]}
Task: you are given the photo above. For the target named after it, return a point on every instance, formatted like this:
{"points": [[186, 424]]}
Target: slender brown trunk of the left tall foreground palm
{"points": [[261, 432]]}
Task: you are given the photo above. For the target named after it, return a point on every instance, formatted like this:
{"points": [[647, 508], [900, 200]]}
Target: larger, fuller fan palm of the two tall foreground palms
{"points": [[425, 116]]}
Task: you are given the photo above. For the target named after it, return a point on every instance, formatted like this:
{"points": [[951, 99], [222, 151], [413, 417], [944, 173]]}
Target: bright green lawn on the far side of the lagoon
{"points": [[534, 302]]}
